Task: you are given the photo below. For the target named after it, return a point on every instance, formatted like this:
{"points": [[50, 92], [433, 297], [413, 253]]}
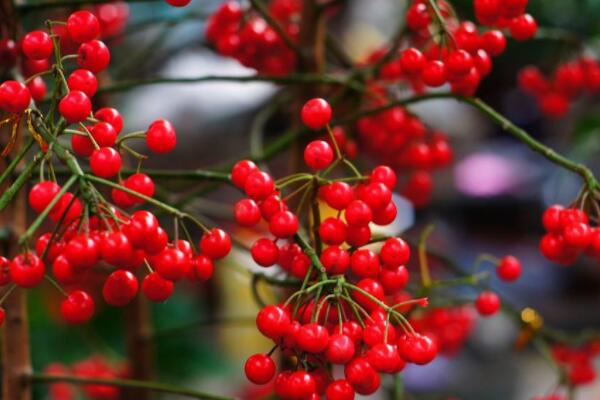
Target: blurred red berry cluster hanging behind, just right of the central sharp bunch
{"points": [[401, 140]]}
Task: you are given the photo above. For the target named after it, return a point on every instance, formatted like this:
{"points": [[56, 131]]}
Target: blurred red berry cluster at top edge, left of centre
{"points": [[251, 40]]}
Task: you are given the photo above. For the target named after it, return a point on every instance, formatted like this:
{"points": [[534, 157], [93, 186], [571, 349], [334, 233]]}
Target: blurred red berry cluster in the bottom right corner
{"points": [[577, 362]]}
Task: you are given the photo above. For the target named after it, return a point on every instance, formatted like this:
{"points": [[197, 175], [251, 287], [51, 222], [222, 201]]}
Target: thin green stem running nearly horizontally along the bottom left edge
{"points": [[129, 383]]}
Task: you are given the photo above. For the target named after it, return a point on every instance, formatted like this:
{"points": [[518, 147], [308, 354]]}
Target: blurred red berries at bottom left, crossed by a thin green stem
{"points": [[95, 367]]}
